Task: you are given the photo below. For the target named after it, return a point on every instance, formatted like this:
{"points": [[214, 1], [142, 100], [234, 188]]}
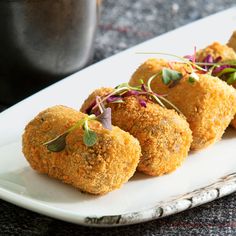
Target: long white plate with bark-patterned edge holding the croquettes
{"points": [[203, 177]]}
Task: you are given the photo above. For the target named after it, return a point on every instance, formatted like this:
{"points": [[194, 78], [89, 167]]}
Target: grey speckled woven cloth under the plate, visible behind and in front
{"points": [[124, 24]]}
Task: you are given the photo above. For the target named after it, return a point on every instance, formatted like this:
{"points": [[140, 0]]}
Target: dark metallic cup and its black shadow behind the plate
{"points": [[42, 41]]}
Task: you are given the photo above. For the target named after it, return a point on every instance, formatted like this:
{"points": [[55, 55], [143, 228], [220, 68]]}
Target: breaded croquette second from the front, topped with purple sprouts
{"points": [[164, 136]]}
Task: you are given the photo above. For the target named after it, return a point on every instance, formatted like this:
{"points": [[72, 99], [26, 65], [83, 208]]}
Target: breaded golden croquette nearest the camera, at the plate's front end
{"points": [[98, 169]]}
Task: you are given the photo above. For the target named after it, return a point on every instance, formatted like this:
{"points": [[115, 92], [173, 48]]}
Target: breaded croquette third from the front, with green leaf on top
{"points": [[209, 104]]}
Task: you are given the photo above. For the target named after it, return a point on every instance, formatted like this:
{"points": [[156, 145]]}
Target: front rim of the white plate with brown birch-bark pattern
{"points": [[222, 187]]}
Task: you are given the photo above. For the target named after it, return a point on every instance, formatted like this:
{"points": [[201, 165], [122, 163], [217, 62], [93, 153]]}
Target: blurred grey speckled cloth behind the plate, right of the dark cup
{"points": [[126, 23]]}
